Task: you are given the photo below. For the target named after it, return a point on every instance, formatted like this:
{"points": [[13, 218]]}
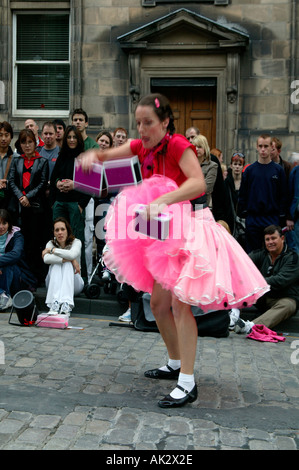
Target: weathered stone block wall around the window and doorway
{"points": [[268, 67]]}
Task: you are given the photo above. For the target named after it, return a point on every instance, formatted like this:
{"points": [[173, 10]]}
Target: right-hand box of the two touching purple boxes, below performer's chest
{"points": [[122, 172]]}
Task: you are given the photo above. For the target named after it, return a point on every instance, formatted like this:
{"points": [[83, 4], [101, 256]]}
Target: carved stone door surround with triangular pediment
{"points": [[185, 45]]}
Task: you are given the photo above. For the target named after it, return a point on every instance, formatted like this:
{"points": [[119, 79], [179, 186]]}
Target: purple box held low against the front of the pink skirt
{"points": [[157, 227]]}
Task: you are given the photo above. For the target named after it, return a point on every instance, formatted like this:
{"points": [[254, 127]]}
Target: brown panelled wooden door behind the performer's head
{"points": [[193, 106]]}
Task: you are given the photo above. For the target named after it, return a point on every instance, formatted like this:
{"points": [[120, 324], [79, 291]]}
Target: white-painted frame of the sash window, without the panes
{"points": [[37, 113]]}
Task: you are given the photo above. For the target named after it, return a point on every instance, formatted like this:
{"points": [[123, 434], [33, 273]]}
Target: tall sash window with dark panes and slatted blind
{"points": [[41, 78]]}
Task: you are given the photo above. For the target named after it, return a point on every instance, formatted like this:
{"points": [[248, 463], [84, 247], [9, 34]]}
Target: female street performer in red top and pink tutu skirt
{"points": [[198, 264]]}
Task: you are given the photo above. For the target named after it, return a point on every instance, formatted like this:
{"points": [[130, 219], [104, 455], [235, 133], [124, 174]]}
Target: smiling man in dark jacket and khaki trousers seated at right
{"points": [[280, 267]]}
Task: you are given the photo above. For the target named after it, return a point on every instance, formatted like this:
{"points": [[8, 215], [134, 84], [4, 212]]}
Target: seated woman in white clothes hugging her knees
{"points": [[63, 280]]}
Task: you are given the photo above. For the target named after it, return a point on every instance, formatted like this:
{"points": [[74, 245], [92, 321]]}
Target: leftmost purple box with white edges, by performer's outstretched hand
{"points": [[93, 183]]}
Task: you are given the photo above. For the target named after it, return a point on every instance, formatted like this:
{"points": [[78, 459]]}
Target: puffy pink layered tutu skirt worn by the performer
{"points": [[199, 262]]}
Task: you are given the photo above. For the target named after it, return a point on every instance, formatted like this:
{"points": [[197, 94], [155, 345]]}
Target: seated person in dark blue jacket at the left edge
{"points": [[15, 274]]}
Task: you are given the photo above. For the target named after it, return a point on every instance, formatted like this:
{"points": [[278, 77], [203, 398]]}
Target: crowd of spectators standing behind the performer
{"points": [[36, 187]]}
